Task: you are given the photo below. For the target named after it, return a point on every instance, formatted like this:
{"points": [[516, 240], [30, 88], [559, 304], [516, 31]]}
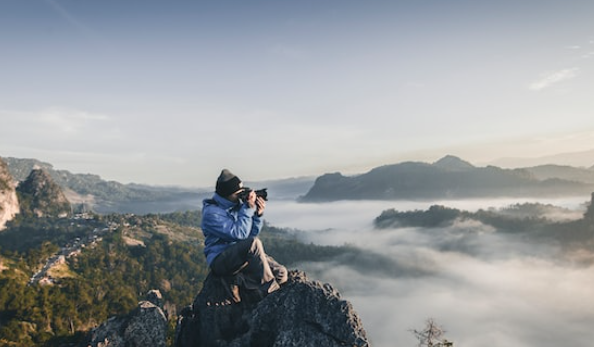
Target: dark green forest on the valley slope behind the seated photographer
{"points": [[109, 277]]}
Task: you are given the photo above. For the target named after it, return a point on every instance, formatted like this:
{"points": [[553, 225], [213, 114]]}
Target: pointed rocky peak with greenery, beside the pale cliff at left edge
{"points": [[40, 196]]}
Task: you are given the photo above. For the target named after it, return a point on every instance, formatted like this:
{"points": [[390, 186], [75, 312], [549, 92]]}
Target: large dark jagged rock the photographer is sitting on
{"points": [[301, 313]]}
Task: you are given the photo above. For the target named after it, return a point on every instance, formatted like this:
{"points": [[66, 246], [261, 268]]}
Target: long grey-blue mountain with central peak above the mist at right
{"points": [[449, 177]]}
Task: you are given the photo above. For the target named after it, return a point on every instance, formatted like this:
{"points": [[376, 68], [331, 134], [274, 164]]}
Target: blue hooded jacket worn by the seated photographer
{"points": [[224, 223]]}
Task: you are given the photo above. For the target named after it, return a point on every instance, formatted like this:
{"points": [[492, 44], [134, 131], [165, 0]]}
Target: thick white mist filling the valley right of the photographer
{"points": [[485, 287]]}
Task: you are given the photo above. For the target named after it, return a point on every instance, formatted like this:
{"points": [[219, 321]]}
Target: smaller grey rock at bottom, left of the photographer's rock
{"points": [[144, 326]]}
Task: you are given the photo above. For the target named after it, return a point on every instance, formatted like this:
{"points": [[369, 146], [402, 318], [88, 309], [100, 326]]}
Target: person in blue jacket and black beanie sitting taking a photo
{"points": [[231, 226]]}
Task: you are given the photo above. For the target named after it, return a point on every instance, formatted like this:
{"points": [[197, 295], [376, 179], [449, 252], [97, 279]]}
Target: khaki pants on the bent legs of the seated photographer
{"points": [[253, 267]]}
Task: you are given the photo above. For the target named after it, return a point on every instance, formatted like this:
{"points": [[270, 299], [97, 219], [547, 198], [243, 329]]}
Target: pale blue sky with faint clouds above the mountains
{"points": [[171, 92]]}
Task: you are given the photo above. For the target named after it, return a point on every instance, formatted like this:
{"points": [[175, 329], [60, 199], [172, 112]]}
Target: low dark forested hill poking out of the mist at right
{"points": [[534, 222]]}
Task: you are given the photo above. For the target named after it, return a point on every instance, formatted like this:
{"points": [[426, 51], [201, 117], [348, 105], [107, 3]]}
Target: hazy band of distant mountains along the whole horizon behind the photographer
{"points": [[449, 177]]}
